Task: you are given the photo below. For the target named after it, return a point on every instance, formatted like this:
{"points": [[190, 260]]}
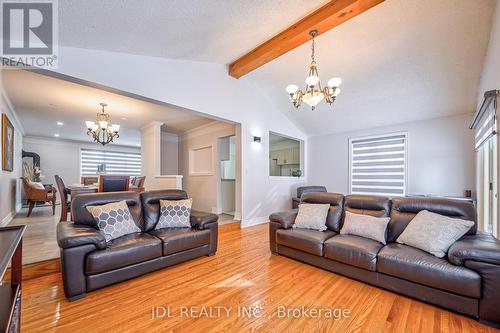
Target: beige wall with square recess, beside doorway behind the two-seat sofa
{"points": [[202, 188]]}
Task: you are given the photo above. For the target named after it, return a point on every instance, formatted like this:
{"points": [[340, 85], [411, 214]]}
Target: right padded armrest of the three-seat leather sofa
{"points": [[481, 247]]}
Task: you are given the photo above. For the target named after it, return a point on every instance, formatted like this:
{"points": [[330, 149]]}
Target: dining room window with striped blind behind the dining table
{"points": [[116, 163]]}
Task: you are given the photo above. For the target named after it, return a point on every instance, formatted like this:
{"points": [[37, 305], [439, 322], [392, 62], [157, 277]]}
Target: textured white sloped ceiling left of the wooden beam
{"points": [[217, 31]]}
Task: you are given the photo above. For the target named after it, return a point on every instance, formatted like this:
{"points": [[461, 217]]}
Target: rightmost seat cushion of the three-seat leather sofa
{"points": [[415, 265]]}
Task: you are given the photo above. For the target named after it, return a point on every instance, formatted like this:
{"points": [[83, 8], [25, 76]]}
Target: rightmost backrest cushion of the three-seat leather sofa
{"points": [[404, 209]]}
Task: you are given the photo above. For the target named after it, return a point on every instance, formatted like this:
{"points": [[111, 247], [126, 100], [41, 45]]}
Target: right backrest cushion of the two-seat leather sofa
{"points": [[151, 205]]}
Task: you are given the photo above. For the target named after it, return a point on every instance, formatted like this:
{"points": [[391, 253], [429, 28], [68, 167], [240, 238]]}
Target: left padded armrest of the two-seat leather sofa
{"points": [[72, 235]]}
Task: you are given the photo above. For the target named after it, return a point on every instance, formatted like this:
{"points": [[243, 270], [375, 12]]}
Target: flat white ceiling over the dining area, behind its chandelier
{"points": [[42, 101]]}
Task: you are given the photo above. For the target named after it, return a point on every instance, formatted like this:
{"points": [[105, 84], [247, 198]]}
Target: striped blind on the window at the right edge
{"points": [[485, 120]]}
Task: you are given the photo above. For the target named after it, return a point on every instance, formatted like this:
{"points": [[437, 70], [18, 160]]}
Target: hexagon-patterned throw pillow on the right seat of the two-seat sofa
{"points": [[175, 214]]}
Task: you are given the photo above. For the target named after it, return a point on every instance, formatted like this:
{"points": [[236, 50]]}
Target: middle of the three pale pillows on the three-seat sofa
{"points": [[365, 226]]}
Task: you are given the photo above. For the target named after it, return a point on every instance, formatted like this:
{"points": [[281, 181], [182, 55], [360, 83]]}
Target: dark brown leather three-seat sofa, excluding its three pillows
{"points": [[466, 281]]}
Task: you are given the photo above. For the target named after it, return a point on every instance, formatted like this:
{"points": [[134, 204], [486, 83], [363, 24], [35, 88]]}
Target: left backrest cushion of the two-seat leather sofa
{"points": [[82, 216]]}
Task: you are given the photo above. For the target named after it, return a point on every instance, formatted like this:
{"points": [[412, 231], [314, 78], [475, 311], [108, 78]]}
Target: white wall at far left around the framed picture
{"points": [[10, 184]]}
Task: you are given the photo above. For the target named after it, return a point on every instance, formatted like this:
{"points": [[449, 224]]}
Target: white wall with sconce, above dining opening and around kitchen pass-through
{"points": [[205, 88]]}
